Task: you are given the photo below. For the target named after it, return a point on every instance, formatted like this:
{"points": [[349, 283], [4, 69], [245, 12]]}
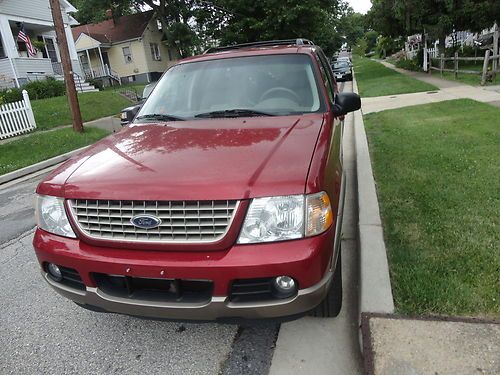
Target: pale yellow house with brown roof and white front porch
{"points": [[124, 49]]}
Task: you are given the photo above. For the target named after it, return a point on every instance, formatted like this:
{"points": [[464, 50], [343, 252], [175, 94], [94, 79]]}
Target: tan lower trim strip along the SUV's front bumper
{"points": [[216, 308]]}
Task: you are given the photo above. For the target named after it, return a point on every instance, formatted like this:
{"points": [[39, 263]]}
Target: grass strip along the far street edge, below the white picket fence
{"points": [[41, 146]]}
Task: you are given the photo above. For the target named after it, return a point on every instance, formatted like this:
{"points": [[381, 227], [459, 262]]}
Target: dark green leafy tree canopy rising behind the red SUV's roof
{"points": [[193, 24]]}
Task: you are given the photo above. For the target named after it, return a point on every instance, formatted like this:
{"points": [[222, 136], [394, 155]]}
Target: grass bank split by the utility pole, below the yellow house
{"points": [[53, 112]]}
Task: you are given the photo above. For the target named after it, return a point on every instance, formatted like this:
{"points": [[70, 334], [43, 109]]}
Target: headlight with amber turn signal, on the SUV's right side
{"points": [[286, 218]]}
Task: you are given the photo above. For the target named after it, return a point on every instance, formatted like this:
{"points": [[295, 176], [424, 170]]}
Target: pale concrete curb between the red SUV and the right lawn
{"points": [[375, 292]]}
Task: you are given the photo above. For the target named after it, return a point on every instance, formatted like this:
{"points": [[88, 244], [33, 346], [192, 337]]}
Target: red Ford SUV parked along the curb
{"points": [[222, 199]]}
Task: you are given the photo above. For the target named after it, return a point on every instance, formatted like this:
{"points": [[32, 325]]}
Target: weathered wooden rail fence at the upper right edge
{"points": [[485, 60]]}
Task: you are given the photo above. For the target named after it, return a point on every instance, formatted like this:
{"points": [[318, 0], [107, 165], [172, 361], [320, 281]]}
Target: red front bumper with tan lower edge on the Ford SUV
{"points": [[308, 261]]}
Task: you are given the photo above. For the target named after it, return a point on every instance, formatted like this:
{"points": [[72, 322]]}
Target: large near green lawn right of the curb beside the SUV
{"points": [[437, 169]]}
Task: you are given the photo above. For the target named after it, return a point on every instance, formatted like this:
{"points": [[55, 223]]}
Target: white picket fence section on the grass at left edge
{"points": [[16, 118]]}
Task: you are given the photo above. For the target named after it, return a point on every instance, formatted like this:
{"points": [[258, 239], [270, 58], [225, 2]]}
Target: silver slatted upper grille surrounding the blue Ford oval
{"points": [[181, 221]]}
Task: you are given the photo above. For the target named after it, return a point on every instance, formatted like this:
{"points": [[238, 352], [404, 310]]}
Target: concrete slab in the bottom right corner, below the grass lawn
{"points": [[444, 346]]}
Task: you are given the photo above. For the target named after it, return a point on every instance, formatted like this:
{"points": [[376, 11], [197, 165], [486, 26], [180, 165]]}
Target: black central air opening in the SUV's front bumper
{"points": [[155, 290]]}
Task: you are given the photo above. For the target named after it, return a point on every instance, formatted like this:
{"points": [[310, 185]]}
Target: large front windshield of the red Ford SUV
{"points": [[271, 85]]}
